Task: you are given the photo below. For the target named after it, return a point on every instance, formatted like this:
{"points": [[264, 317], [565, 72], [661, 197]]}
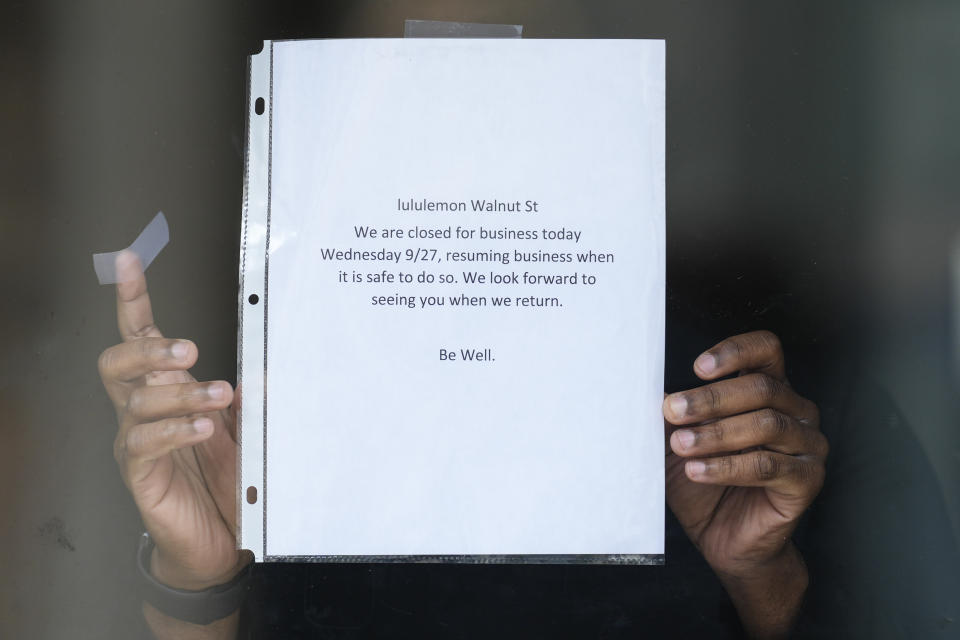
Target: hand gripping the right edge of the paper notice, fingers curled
{"points": [[745, 459]]}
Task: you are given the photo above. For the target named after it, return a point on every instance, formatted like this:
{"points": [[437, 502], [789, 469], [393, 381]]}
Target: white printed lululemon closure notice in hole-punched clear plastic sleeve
{"points": [[376, 434]]}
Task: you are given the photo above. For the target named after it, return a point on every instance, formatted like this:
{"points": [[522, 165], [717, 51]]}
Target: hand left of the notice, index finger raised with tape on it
{"points": [[176, 445]]}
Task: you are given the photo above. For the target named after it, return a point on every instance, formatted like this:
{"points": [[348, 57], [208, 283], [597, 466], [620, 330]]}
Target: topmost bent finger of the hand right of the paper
{"points": [[758, 351]]}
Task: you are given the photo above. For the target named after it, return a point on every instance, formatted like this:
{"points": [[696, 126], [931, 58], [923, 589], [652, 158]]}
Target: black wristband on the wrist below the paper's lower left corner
{"points": [[198, 607]]}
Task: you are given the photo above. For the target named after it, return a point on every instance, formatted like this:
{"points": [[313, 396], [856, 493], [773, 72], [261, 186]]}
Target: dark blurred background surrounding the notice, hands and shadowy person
{"points": [[812, 188]]}
